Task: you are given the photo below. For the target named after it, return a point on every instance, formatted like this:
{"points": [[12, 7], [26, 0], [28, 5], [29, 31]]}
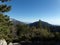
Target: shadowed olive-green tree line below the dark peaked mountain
{"points": [[25, 32]]}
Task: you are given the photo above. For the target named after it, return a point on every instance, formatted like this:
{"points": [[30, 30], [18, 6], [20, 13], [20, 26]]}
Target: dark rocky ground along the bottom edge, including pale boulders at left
{"points": [[3, 42]]}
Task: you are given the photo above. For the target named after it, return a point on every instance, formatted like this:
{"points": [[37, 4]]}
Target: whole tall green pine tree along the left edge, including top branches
{"points": [[5, 23]]}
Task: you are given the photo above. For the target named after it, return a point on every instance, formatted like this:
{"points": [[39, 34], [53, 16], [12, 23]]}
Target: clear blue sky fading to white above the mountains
{"points": [[33, 10]]}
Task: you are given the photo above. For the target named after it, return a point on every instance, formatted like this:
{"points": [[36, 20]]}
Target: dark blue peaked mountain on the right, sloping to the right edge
{"points": [[53, 28]]}
